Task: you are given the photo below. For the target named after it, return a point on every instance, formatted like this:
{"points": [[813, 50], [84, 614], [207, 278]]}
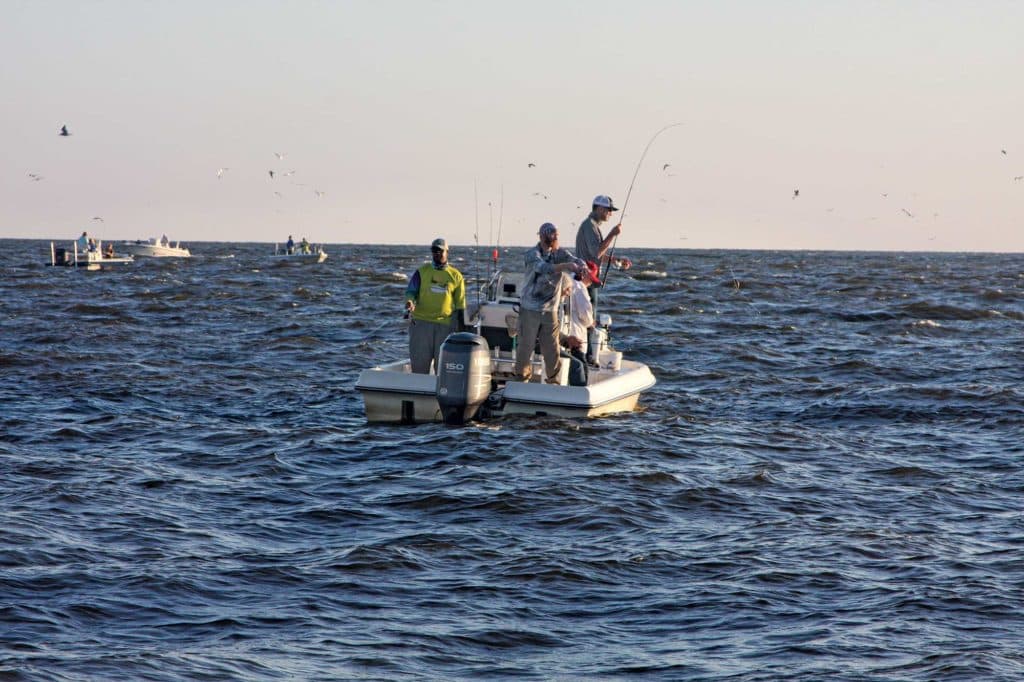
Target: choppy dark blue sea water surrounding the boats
{"points": [[826, 484]]}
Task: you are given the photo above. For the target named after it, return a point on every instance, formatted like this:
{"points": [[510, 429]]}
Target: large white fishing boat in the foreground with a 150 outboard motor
{"points": [[477, 379]]}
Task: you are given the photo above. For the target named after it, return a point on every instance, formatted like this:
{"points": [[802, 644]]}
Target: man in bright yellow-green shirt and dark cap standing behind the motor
{"points": [[436, 300]]}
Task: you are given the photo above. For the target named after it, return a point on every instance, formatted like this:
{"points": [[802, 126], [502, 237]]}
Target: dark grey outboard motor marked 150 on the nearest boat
{"points": [[464, 376]]}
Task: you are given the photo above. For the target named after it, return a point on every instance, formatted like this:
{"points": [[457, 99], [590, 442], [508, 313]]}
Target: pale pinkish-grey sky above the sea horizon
{"points": [[900, 123]]}
